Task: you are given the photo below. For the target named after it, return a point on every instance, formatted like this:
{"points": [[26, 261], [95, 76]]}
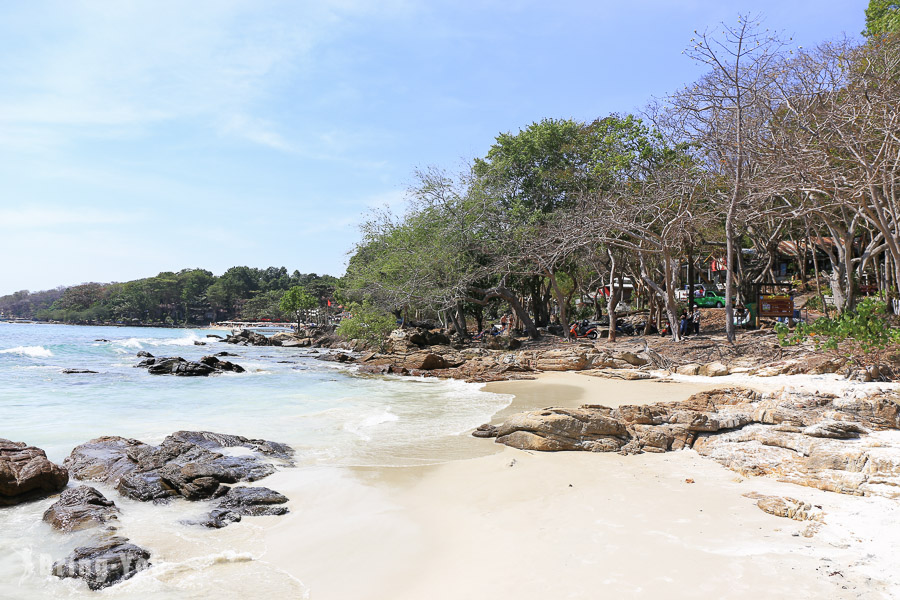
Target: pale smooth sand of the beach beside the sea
{"points": [[514, 524]]}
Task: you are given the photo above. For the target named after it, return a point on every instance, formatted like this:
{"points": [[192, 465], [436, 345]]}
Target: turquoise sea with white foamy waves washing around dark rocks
{"points": [[338, 421]]}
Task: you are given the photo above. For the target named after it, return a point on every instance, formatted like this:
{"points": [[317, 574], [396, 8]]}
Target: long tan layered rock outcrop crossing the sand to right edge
{"points": [[847, 445]]}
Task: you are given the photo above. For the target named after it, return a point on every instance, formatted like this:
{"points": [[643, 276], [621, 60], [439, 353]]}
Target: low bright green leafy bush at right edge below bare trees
{"points": [[867, 326]]}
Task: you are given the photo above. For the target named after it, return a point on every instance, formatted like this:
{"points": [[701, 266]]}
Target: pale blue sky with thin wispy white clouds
{"points": [[146, 136]]}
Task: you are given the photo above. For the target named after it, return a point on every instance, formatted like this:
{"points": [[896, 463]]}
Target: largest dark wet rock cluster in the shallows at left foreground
{"points": [[186, 464]]}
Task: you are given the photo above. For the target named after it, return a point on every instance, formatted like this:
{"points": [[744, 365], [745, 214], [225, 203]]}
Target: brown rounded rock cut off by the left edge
{"points": [[27, 474]]}
